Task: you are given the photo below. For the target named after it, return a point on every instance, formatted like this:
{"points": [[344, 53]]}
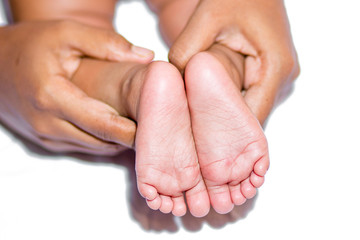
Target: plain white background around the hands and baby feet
{"points": [[312, 187]]}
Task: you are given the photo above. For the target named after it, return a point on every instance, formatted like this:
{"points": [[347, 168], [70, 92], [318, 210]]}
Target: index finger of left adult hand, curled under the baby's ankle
{"points": [[90, 115]]}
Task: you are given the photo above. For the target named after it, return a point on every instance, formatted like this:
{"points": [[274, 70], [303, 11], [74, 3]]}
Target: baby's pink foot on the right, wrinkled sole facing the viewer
{"points": [[231, 146]]}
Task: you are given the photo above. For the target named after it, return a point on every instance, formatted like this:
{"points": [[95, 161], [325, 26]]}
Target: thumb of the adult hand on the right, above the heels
{"points": [[196, 37]]}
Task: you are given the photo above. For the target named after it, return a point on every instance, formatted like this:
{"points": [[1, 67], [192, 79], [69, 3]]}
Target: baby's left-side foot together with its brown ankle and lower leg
{"points": [[166, 159]]}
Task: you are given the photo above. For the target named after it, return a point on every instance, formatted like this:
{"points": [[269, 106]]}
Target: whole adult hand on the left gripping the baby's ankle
{"points": [[39, 102]]}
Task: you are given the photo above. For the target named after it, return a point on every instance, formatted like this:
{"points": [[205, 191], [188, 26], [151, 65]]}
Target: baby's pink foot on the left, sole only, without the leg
{"points": [[166, 159]]}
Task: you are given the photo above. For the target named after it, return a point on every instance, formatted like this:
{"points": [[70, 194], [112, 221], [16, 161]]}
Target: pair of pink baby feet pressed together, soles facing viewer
{"points": [[202, 144]]}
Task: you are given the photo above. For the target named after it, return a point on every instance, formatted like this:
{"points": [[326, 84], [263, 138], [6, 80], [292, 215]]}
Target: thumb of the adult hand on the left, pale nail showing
{"points": [[103, 43]]}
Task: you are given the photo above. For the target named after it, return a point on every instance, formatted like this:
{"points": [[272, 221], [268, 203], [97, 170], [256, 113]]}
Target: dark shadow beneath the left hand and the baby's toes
{"points": [[148, 219]]}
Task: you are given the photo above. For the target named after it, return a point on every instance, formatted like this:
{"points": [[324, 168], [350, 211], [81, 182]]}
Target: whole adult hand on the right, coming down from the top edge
{"points": [[258, 29]]}
